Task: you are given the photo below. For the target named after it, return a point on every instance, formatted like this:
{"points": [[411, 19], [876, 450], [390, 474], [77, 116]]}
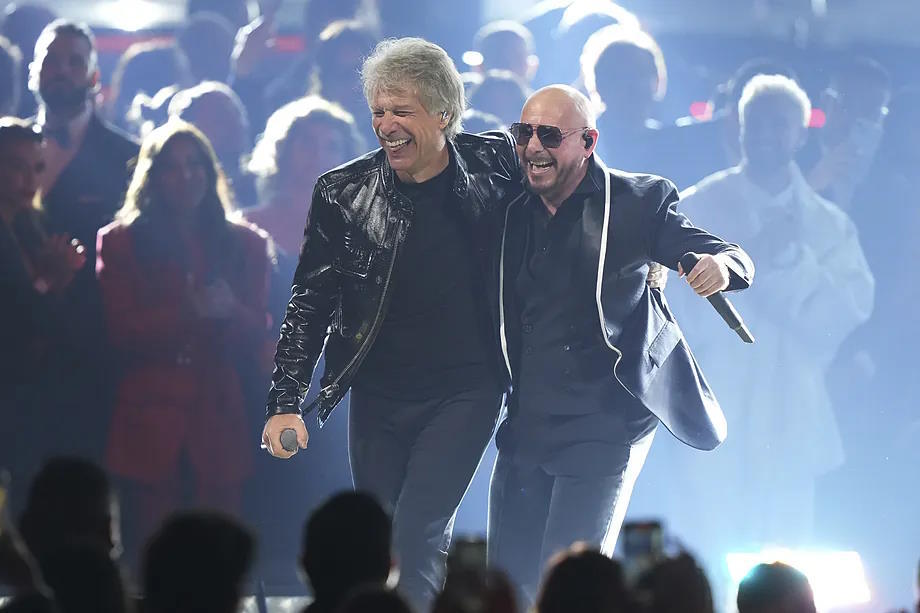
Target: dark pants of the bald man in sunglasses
{"points": [[534, 511]]}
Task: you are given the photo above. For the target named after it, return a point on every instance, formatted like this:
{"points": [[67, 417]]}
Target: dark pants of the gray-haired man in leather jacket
{"points": [[418, 458]]}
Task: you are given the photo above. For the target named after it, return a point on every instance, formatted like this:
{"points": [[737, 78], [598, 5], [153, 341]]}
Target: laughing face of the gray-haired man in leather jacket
{"points": [[412, 137]]}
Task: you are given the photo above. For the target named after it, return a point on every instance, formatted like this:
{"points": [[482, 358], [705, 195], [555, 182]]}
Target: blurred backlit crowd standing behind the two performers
{"points": [[151, 218]]}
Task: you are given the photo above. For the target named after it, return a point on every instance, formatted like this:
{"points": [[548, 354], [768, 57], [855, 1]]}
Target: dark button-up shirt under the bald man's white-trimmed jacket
{"points": [[567, 409]]}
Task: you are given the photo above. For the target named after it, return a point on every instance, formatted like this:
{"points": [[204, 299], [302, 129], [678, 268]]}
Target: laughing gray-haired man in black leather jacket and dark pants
{"points": [[394, 283]]}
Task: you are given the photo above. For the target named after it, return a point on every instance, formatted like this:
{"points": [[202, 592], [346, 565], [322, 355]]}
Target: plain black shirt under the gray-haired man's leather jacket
{"points": [[436, 336]]}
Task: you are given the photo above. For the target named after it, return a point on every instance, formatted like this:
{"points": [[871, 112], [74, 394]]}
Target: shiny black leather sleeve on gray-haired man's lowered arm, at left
{"points": [[309, 311]]}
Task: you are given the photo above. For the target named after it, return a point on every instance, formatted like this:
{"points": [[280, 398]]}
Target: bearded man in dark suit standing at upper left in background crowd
{"points": [[84, 180]]}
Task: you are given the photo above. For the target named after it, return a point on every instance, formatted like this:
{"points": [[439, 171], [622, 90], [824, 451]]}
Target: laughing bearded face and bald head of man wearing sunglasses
{"points": [[555, 173]]}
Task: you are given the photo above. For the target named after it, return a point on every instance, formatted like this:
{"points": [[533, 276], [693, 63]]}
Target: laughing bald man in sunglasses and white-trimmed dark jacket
{"points": [[595, 355]]}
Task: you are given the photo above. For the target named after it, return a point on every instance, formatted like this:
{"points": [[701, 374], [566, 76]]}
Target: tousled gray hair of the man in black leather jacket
{"points": [[418, 66]]}
